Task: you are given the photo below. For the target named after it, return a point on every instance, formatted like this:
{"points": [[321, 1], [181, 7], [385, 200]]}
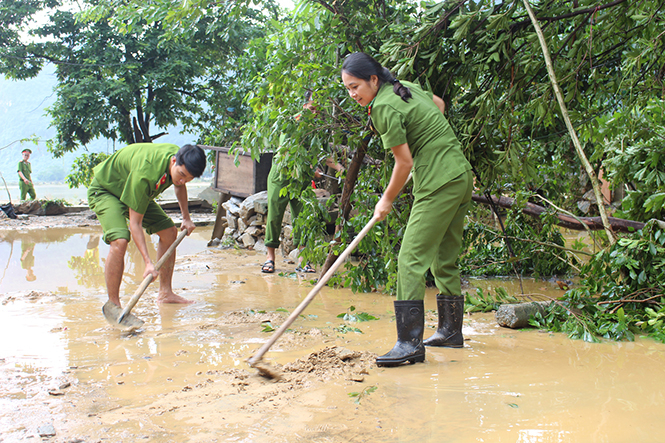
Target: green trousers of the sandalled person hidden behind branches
{"points": [[277, 207]]}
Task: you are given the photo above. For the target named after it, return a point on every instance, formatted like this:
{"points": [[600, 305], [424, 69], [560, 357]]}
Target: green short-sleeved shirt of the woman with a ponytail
{"points": [[437, 154]]}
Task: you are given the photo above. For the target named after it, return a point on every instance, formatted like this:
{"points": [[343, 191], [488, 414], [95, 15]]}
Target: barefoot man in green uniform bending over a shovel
{"points": [[124, 188]]}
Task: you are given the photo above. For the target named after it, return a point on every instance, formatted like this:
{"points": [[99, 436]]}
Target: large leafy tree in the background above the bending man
{"points": [[128, 79]]}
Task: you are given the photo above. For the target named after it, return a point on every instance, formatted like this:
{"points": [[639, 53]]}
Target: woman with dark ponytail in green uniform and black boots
{"points": [[411, 124]]}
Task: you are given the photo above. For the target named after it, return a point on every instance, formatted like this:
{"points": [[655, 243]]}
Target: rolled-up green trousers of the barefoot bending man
{"points": [[113, 215]]}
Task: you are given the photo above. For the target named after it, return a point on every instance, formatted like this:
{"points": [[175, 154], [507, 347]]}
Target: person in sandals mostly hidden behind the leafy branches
{"points": [[277, 206]]}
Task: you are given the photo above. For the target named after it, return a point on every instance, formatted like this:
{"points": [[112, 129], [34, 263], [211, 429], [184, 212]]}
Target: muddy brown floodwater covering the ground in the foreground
{"points": [[183, 377]]}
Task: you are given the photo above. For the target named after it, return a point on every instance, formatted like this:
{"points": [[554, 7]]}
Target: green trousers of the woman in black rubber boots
{"points": [[433, 239]]}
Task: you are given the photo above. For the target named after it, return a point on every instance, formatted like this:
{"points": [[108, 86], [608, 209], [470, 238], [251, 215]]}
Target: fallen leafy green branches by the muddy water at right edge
{"points": [[620, 294]]}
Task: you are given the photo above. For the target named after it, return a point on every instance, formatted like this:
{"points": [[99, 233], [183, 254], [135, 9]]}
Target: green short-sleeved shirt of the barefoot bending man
{"points": [[137, 174]]}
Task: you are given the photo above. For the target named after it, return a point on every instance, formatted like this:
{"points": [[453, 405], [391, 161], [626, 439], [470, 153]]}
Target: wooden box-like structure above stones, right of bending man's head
{"points": [[245, 179]]}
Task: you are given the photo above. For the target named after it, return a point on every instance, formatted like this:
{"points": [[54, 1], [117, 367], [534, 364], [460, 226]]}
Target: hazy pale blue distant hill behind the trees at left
{"points": [[22, 115]]}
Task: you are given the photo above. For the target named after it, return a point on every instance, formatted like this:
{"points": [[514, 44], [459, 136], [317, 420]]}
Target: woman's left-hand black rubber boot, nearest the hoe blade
{"points": [[410, 319]]}
